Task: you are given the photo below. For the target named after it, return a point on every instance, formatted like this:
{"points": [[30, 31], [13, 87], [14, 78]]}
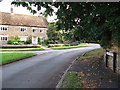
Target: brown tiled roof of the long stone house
{"points": [[21, 20]]}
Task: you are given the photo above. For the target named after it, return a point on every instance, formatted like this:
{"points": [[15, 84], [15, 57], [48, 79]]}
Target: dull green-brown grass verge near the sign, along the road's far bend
{"points": [[93, 53]]}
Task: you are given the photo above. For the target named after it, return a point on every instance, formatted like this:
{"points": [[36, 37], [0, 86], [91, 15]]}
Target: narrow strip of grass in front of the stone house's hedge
{"points": [[20, 49]]}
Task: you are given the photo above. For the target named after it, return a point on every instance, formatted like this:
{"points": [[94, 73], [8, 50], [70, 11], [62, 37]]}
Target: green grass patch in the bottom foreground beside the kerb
{"points": [[71, 81]]}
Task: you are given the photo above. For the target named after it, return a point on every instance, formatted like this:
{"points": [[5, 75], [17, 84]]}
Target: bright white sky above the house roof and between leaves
{"points": [[5, 6]]}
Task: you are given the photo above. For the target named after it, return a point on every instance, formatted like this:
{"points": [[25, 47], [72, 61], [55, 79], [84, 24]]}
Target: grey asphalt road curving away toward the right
{"points": [[41, 71]]}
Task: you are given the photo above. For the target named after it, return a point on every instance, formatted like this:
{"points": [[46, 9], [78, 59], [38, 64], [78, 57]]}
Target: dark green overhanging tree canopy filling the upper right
{"points": [[92, 21]]}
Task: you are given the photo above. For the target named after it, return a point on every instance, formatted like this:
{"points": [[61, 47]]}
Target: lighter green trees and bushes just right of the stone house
{"points": [[61, 36]]}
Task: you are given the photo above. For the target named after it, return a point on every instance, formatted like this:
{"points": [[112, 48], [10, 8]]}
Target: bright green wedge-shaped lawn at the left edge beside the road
{"points": [[11, 57]]}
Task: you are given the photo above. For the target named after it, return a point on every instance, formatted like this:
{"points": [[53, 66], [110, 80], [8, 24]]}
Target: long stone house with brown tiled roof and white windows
{"points": [[22, 26]]}
